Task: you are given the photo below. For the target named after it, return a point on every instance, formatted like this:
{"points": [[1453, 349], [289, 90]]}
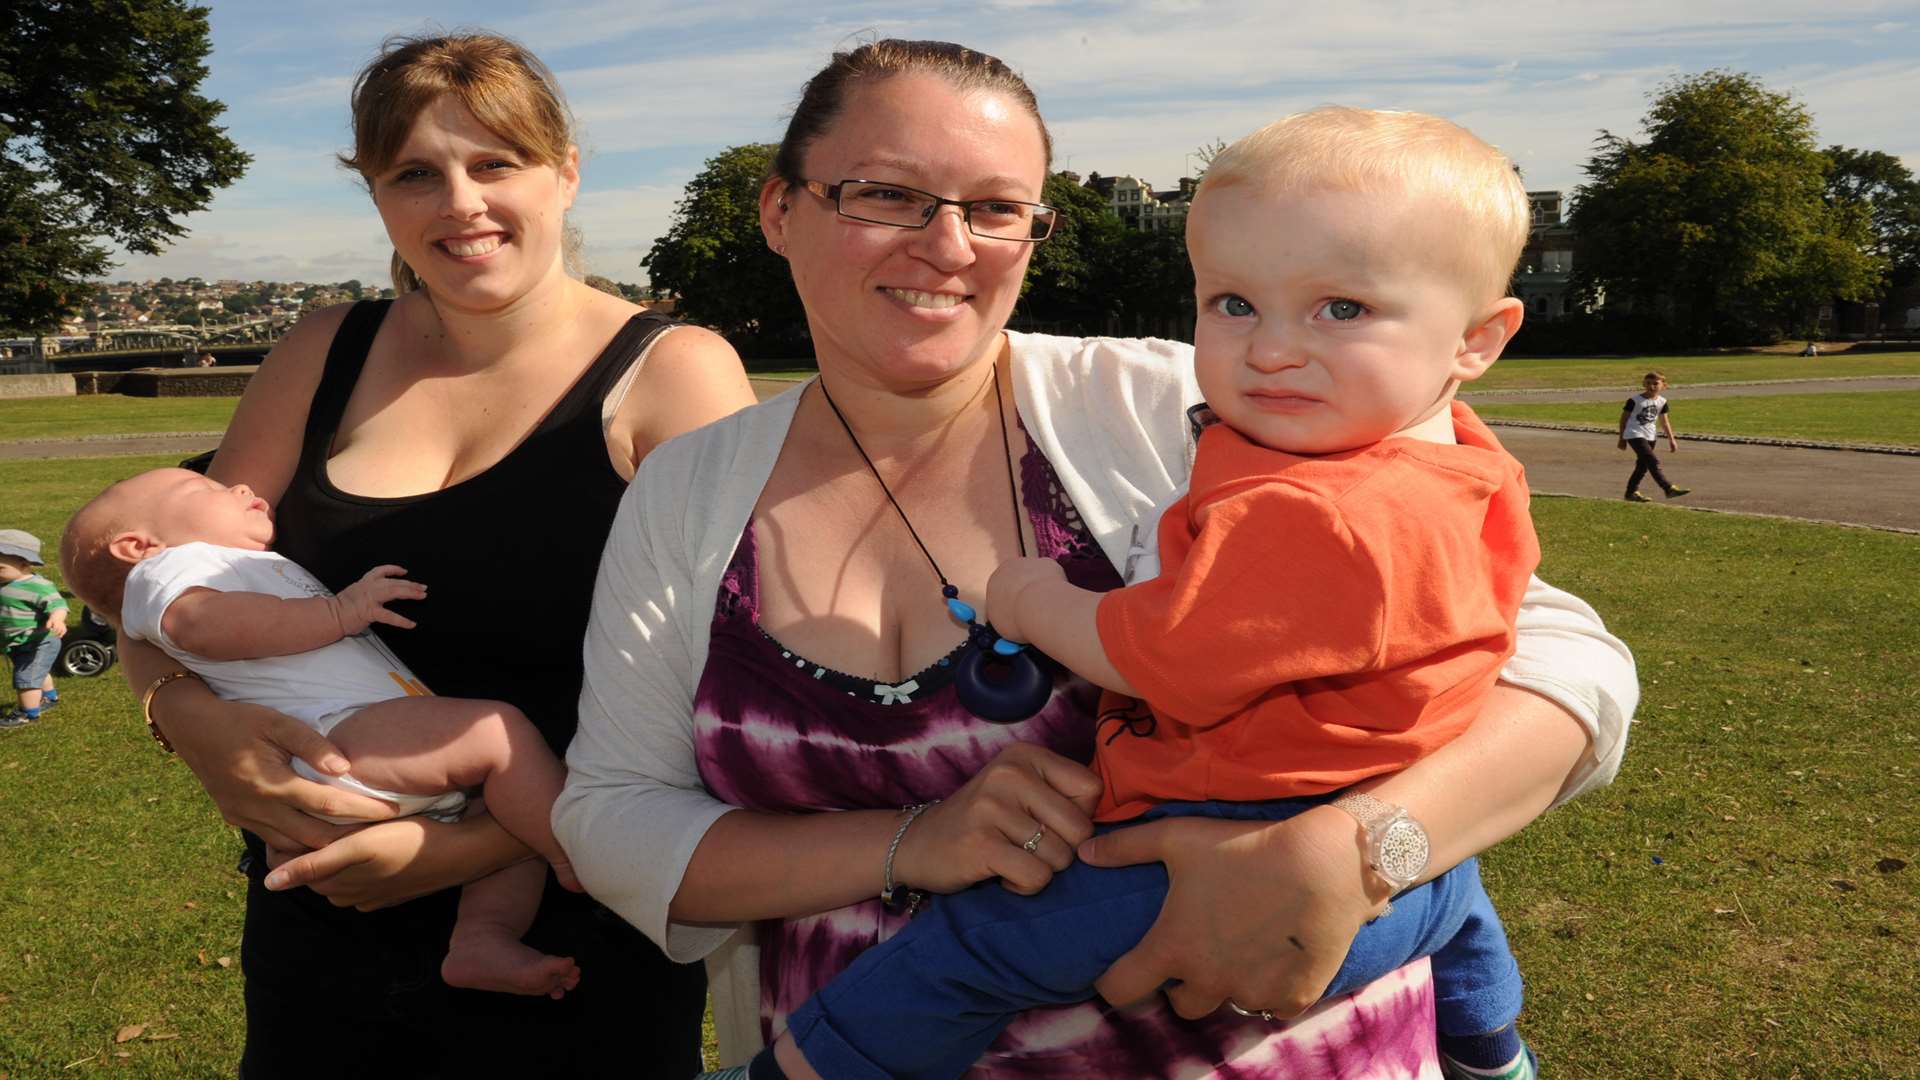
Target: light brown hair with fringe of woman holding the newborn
{"points": [[508, 89]]}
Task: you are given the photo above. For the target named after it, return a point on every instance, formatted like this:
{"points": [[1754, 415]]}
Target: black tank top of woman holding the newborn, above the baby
{"points": [[508, 556]]}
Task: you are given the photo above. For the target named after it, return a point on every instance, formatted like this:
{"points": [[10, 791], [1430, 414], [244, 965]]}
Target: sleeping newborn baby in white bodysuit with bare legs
{"points": [[181, 560]]}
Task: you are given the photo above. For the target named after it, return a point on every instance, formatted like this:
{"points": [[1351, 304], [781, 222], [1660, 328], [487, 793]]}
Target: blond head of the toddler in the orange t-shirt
{"points": [[1351, 272]]}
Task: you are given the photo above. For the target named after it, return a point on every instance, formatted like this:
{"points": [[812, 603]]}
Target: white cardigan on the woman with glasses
{"points": [[1109, 414]]}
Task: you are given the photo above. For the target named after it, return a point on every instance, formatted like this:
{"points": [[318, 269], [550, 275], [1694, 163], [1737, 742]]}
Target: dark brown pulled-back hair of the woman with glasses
{"points": [[875, 62]]}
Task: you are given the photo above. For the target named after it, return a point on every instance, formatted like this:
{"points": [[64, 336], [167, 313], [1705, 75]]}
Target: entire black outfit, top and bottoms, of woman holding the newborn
{"points": [[512, 558]]}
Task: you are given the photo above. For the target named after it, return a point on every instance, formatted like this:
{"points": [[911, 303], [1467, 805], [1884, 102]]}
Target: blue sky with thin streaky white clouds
{"points": [[1126, 86]]}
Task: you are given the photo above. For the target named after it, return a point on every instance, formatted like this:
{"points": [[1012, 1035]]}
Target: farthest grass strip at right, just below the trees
{"points": [[1548, 374]]}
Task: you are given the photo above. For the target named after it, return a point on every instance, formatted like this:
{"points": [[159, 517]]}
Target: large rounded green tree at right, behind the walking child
{"points": [[1717, 220]]}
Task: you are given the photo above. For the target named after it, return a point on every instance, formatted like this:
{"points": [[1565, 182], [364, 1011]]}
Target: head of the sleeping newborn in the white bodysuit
{"points": [[145, 516]]}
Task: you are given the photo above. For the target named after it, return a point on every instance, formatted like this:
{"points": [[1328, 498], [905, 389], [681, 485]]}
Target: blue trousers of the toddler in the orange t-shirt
{"points": [[928, 1002]]}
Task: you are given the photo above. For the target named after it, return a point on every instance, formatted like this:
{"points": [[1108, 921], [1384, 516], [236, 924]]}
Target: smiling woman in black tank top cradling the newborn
{"points": [[502, 453]]}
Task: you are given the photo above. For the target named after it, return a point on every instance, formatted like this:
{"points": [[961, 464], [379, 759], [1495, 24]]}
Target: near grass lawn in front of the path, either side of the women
{"points": [[1739, 904]]}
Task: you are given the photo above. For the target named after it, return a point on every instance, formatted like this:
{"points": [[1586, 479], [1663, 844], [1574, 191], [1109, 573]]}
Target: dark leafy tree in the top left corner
{"points": [[103, 137]]}
